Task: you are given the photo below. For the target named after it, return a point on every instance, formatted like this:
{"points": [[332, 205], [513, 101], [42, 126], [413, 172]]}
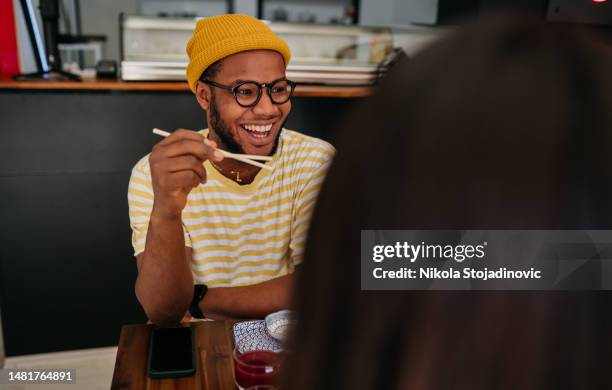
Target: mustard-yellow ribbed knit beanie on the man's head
{"points": [[217, 37]]}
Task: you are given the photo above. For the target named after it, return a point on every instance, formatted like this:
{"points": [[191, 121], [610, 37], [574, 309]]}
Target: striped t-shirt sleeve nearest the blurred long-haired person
{"points": [[312, 178]]}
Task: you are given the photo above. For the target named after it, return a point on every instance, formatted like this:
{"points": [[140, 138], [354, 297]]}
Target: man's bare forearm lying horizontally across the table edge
{"points": [[255, 301]]}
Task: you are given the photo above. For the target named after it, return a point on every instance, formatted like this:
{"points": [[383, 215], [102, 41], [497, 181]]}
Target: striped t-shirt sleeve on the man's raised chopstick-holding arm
{"points": [[140, 201]]}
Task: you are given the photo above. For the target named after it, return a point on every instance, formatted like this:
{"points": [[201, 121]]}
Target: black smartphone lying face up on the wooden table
{"points": [[171, 352]]}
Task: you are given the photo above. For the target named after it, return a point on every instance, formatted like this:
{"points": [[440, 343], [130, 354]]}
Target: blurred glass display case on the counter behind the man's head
{"points": [[154, 49]]}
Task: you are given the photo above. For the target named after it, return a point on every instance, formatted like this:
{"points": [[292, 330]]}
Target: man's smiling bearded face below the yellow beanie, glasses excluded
{"points": [[251, 130]]}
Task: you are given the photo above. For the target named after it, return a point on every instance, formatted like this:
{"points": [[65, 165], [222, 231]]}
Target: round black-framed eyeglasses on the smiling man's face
{"points": [[248, 93]]}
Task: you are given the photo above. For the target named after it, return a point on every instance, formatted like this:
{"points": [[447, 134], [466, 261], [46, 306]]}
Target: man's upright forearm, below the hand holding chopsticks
{"points": [[164, 285]]}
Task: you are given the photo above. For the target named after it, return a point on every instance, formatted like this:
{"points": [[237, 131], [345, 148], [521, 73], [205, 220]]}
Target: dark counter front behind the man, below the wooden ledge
{"points": [[66, 266]]}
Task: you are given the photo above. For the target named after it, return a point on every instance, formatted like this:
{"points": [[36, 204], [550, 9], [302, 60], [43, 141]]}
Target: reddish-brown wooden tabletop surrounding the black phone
{"points": [[214, 366]]}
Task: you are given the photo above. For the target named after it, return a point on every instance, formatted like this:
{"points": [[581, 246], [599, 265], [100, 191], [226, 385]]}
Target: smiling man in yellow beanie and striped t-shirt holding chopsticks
{"points": [[214, 236]]}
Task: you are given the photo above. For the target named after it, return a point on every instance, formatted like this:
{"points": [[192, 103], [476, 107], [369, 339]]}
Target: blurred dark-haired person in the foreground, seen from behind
{"points": [[506, 124]]}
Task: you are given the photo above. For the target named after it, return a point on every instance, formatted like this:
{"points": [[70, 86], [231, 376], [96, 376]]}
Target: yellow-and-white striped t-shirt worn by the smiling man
{"points": [[244, 234]]}
